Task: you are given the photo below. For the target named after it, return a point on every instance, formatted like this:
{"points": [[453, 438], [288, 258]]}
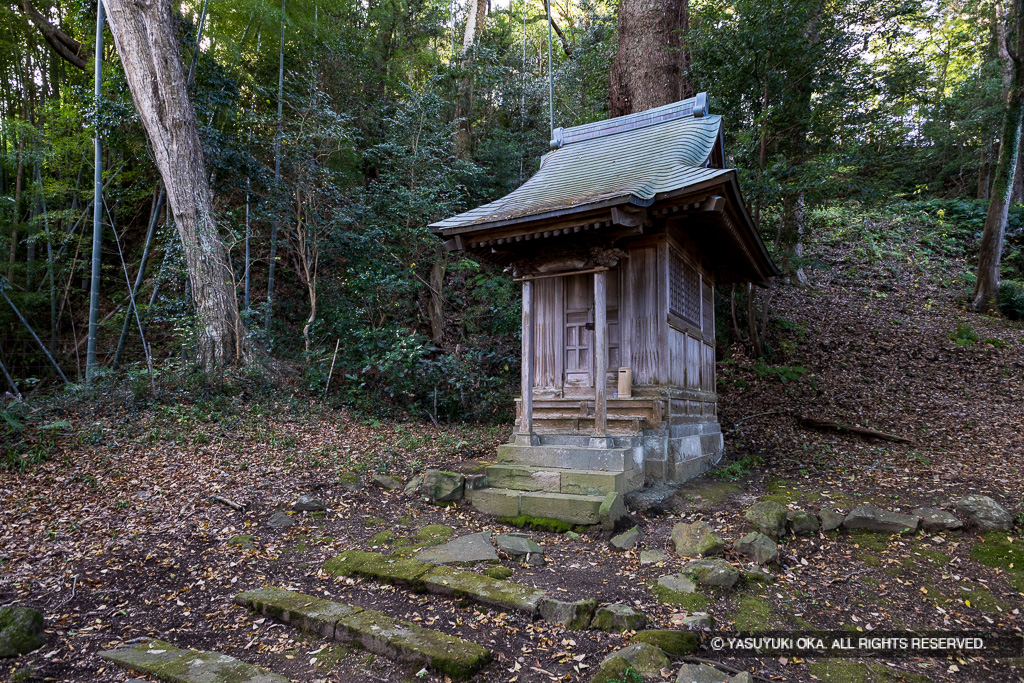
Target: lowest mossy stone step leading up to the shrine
{"points": [[570, 508]]}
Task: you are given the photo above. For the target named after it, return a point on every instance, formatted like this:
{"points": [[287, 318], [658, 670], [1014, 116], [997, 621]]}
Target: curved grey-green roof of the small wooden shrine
{"points": [[631, 159]]}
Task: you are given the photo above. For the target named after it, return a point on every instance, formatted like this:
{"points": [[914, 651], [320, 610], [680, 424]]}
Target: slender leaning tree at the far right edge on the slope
{"points": [[987, 290]]}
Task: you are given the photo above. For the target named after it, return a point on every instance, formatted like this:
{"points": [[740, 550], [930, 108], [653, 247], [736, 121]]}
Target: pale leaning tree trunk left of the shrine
{"points": [[149, 49]]}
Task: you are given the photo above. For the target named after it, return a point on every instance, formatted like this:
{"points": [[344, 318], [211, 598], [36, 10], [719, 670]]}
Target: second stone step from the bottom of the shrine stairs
{"points": [[585, 483]]}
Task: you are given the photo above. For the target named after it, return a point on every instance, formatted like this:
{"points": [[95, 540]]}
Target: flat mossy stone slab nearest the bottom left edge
{"points": [[167, 663]]}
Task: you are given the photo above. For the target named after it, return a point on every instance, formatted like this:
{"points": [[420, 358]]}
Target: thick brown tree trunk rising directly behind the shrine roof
{"points": [[653, 60]]}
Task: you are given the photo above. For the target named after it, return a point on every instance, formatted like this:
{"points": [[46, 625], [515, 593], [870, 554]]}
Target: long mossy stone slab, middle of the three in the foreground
{"points": [[375, 631]]}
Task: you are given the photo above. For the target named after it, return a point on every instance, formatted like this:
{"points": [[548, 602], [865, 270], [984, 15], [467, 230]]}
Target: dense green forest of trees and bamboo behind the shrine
{"points": [[335, 132]]}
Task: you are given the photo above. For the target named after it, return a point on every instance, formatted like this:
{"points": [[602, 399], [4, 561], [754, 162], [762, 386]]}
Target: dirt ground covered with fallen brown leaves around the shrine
{"points": [[115, 537]]}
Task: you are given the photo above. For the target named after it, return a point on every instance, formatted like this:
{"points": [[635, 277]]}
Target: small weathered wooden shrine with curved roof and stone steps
{"points": [[620, 241]]}
